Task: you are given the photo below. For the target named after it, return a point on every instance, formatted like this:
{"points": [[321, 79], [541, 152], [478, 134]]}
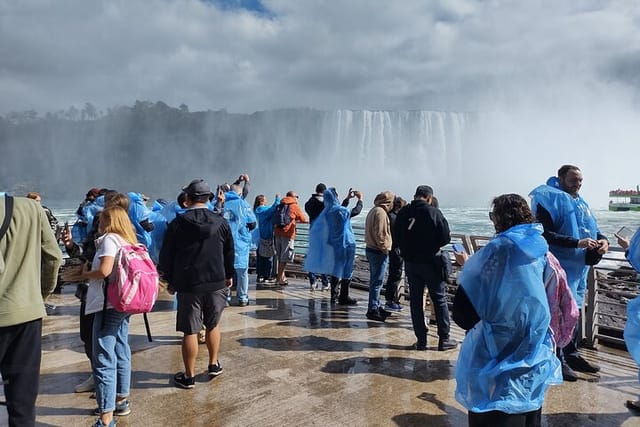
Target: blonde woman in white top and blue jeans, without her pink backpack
{"points": [[111, 351]]}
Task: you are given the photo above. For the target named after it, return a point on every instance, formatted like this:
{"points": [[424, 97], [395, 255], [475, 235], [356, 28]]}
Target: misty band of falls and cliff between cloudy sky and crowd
{"points": [[468, 157]]}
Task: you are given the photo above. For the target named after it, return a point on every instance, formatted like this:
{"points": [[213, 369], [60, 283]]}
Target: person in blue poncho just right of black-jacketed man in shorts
{"points": [[242, 220]]}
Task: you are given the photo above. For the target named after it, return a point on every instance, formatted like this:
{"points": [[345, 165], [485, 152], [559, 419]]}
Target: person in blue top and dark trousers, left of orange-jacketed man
{"points": [[266, 251]]}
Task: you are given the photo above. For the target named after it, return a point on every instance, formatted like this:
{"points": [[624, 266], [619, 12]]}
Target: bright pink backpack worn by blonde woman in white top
{"points": [[134, 282]]}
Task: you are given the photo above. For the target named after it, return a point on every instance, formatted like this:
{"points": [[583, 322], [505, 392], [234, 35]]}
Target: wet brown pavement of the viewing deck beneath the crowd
{"points": [[292, 359]]}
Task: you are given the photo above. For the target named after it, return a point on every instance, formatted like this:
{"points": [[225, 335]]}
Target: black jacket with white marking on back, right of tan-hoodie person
{"points": [[421, 230]]}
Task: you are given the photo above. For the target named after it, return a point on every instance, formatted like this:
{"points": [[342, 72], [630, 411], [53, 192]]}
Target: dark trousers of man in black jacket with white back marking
{"points": [[429, 275]]}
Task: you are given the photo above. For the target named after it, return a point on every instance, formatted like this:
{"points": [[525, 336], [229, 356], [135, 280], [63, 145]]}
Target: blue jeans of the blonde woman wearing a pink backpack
{"points": [[111, 358]]}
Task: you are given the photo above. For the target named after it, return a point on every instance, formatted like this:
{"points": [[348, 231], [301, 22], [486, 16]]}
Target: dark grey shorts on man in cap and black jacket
{"points": [[197, 309]]}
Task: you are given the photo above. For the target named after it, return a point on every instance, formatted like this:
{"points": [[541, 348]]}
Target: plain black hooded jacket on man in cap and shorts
{"points": [[197, 252]]}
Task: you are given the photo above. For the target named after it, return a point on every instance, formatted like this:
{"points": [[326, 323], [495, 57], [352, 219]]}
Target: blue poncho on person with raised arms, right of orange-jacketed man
{"points": [[332, 244]]}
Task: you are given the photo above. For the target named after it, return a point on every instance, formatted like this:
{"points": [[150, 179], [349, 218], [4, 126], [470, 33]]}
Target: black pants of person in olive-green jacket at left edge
{"points": [[20, 356]]}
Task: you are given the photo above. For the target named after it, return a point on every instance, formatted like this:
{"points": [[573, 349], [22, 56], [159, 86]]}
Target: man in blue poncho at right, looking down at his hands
{"points": [[571, 230]]}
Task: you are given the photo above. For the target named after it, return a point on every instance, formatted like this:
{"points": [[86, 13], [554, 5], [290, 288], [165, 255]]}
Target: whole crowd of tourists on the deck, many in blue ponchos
{"points": [[519, 296]]}
